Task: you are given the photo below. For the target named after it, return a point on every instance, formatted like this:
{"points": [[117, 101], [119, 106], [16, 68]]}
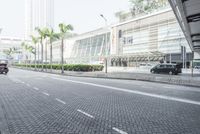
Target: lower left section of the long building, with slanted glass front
{"points": [[88, 48]]}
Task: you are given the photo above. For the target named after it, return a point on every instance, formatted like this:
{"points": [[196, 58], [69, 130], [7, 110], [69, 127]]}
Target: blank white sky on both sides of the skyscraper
{"points": [[84, 15]]}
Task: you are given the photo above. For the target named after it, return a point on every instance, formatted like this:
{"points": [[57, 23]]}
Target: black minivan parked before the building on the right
{"points": [[166, 68]]}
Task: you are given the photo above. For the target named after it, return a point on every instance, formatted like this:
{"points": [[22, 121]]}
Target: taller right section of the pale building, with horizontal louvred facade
{"points": [[149, 38]]}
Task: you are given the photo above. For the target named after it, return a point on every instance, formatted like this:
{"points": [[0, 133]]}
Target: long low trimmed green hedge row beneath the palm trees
{"points": [[71, 67]]}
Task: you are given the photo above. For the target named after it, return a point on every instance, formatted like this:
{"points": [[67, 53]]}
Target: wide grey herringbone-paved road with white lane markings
{"points": [[38, 103]]}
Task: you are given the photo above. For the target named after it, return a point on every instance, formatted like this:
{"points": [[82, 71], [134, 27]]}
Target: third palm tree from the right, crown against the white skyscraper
{"points": [[42, 36]]}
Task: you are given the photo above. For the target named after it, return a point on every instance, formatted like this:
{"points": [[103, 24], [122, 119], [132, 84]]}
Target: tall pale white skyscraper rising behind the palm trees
{"points": [[38, 13]]}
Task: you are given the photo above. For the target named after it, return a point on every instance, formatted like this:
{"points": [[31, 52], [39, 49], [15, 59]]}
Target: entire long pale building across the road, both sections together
{"points": [[151, 38]]}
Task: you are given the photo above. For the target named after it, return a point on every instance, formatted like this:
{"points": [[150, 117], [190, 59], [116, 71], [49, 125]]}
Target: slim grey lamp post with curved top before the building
{"points": [[106, 47]]}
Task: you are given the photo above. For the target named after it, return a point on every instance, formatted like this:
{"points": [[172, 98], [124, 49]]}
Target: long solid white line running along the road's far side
{"points": [[134, 92]]}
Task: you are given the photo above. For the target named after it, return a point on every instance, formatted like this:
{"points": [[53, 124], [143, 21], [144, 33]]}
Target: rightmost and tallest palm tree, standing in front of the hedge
{"points": [[63, 31]]}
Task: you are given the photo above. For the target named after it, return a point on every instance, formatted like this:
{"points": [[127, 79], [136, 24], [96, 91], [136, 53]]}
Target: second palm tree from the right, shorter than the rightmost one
{"points": [[52, 37]]}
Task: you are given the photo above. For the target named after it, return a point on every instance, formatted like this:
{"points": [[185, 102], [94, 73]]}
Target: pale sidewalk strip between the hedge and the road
{"points": [[182, 79]]}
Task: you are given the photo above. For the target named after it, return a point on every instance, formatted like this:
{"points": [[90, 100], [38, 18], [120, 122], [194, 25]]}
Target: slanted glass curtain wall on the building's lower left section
{"points": [[90, 50]]}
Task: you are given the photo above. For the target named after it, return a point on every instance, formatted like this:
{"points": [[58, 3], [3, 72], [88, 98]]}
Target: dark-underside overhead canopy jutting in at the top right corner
{"points": [[188, 15]]}
